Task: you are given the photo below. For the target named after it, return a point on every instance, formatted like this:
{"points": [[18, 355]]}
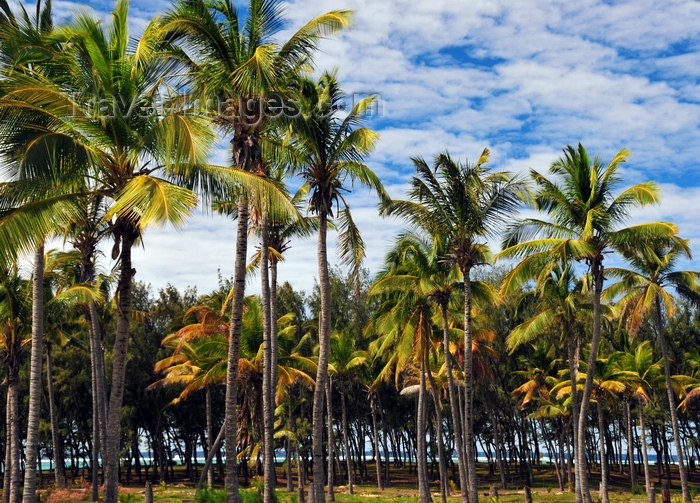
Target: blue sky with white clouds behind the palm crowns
{"points": [[522, 78]]}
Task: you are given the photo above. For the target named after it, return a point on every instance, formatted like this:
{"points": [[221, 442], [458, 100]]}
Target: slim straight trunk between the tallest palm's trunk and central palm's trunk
{"points": [[268, 387]]}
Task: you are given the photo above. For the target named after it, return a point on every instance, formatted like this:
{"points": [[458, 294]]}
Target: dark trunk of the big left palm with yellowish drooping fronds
{"points": [[121, 343]]}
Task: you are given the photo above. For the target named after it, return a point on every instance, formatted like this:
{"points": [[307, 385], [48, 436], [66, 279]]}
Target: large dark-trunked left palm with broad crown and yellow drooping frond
{"points": [[89, 117]]}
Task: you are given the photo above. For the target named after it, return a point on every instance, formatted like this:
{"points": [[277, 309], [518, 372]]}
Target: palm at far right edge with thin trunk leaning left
{"points": [[646, 289]]}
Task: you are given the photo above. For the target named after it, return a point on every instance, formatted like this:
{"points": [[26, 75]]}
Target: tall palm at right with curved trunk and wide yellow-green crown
{"points": [[585, 219]]}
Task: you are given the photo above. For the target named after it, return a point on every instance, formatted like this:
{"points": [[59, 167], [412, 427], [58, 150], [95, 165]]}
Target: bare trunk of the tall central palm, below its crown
{"points": [[324, 334]]}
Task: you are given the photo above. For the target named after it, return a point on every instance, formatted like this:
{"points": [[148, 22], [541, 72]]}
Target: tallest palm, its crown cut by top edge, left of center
{"points": [[239, 61]]}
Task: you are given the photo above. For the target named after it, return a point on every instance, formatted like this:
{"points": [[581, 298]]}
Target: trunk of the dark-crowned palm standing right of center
{"points": [[469, 388]]}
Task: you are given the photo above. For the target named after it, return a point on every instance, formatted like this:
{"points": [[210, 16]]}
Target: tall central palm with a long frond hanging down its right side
{"points": [[328, 149]]}
